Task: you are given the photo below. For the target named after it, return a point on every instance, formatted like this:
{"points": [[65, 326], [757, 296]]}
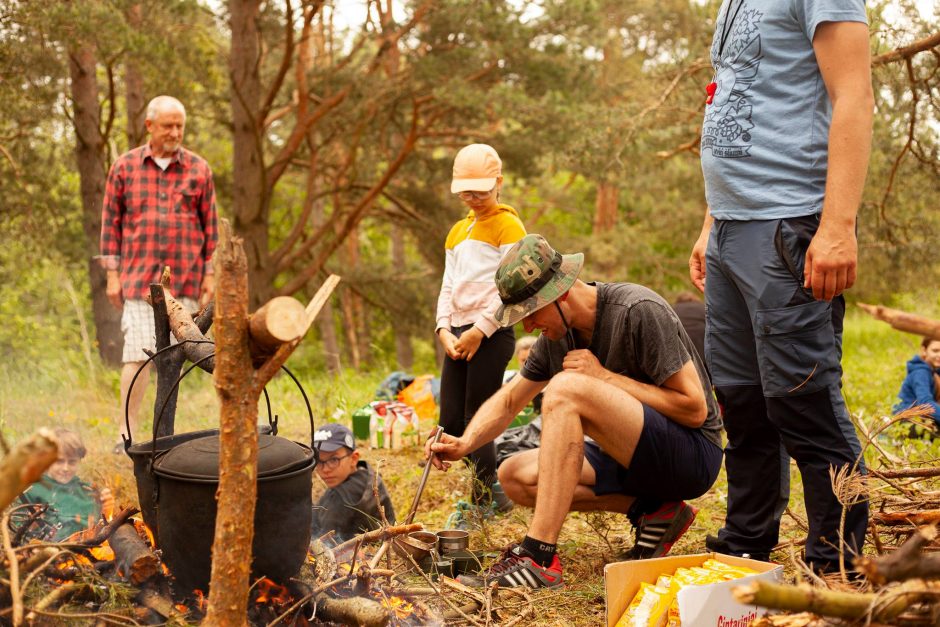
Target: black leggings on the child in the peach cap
{"points": [[465, 385]]}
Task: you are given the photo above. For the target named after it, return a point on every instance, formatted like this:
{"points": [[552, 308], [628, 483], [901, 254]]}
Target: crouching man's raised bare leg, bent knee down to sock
{"points": [[576, 404]]}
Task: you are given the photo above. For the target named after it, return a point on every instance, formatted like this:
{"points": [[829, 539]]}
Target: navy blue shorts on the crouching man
{"points": [[671, 462]]}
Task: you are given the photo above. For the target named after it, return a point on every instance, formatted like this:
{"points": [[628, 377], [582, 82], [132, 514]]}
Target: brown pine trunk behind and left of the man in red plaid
{"points": [[90, 155]]}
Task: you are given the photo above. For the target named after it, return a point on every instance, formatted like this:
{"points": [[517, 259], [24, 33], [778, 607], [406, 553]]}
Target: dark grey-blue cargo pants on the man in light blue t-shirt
{"points": [[775, 358]]}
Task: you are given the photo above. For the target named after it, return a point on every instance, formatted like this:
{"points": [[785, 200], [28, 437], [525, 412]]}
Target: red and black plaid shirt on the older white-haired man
{"points": [[153, 218]]}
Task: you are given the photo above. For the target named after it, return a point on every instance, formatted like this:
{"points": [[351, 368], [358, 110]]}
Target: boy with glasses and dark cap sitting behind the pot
{"points": [[348, 507]]}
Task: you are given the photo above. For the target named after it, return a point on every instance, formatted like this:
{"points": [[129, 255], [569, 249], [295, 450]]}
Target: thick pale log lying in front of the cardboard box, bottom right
{"points": [[883, 606]]}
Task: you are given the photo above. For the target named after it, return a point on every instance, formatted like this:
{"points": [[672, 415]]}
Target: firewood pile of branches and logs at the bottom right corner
{"points": [[897, 581]]}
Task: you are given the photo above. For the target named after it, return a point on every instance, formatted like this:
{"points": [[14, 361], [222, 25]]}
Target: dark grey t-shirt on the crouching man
{"points": [[636, 334]]}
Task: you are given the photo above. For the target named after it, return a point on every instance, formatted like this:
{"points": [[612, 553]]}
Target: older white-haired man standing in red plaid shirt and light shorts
{"points": [[159, 210]]}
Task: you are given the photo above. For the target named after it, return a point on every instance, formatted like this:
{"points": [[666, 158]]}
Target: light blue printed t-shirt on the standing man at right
{"points": [[766, 133]]}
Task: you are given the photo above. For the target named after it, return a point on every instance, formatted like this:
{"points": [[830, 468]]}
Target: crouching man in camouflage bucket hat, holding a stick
{"points": [[616, 366]]}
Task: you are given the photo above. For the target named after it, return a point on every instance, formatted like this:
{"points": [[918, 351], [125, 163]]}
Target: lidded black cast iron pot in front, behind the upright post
{"points": [[186, 479]]}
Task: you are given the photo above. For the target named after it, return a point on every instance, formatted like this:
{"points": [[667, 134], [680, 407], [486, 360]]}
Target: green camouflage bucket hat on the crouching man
{"points": [[531, 275]]}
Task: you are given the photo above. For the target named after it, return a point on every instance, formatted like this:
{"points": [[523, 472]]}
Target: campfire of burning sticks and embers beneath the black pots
{"points": [[357, 582]]}
